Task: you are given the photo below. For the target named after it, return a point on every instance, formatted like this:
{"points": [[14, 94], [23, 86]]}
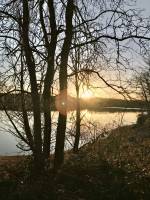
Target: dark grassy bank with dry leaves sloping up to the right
{"points": [[117, 167]]}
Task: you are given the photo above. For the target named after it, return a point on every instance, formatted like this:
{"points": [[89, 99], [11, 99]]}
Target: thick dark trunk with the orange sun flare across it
{"points": [[61, 129]]}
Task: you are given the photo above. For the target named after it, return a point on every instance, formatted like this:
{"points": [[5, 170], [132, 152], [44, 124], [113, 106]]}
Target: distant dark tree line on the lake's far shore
{"points": [[13, 102]]}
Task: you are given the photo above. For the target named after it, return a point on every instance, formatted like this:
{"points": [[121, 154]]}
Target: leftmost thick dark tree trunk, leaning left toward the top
{"points": [[38, 157]]}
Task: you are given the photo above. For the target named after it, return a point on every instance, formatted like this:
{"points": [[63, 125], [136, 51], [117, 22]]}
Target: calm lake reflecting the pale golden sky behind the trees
{"points": [[93, 121]]}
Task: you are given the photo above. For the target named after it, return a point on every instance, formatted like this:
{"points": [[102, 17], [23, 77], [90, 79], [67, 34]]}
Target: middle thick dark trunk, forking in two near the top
{"points": [[50, 47]]}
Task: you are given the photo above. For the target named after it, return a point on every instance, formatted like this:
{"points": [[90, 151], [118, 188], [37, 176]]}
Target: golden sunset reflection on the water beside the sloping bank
{"points": [[95, 124]]}
